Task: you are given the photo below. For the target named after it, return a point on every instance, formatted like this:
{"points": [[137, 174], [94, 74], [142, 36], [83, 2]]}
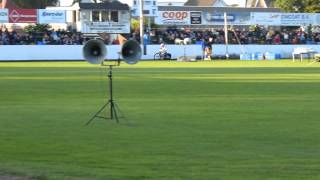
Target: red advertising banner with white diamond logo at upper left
{"points": [[22, 16]]}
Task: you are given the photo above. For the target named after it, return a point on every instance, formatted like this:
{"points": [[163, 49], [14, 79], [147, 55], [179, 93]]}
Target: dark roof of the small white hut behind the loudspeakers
{"points": [[115, 5]]}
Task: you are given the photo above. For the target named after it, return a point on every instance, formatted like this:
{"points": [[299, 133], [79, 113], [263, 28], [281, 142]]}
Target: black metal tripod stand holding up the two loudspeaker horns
{"points": [[114, 108]]}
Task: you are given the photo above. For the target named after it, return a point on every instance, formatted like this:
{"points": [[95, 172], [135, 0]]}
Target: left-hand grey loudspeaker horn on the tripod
{"points": [[94, 51]]}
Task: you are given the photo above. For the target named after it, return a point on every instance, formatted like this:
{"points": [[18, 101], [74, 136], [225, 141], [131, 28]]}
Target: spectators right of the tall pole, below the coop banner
{"points": [[254, 35]]}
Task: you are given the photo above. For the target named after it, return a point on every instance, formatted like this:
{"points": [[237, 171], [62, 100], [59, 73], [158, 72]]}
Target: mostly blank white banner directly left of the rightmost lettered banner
{"points": [[266, 18]]}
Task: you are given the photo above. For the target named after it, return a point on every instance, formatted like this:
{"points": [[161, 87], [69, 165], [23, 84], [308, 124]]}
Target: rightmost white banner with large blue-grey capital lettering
{"points": [[297, 19]]}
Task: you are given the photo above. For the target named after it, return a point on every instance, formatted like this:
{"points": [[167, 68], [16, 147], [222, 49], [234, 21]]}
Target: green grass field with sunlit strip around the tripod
{"points": [[185, 121]]}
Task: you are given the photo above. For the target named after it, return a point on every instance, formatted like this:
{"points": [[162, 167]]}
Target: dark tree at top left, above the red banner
{"points": [[36, 4]]}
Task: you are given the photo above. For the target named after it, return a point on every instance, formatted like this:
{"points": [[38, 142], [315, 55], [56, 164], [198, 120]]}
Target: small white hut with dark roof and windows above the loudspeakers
{"points": [[111, 17]]}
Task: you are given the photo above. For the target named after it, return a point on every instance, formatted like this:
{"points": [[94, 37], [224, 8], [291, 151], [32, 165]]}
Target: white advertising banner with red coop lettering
{"points": [[173, 18]]}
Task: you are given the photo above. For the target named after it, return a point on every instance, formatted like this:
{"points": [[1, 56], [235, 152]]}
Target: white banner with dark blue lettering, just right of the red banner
{"points": [[51, 16]]}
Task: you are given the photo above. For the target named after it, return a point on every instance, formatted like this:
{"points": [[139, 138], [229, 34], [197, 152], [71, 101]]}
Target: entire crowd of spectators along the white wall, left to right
{"points": [[255, 35]]}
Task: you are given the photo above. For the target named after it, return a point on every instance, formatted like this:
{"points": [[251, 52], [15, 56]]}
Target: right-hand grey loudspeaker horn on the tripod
{"points": [[131, 52]]}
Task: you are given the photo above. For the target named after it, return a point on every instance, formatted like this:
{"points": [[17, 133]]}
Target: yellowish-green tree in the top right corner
{"points": [[308, 6]]}
